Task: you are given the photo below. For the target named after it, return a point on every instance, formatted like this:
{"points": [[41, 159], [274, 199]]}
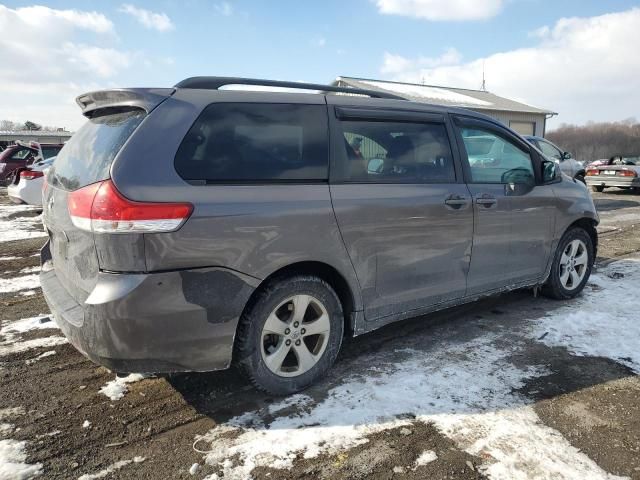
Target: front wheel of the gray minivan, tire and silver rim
{"points": [[562, 284]]}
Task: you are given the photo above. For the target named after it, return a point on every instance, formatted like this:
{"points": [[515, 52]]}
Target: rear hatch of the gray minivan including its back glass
{"points": [[85, 160]]}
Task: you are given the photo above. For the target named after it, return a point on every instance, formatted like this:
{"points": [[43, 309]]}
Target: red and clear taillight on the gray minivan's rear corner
{"points": [[100, 208]]}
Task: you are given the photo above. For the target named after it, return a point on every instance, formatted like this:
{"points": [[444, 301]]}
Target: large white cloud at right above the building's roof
{"points": [[584, 68]]}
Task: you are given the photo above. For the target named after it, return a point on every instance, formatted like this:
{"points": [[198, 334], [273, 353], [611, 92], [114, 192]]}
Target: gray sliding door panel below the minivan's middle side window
{"points": [[410, 249]]}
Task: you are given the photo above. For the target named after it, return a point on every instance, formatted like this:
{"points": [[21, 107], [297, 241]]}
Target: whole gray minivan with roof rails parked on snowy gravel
{"points": [[196, 227]]}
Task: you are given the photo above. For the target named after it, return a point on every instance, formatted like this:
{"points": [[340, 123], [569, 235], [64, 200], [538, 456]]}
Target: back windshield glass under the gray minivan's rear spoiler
{"points": [[86, 158]]}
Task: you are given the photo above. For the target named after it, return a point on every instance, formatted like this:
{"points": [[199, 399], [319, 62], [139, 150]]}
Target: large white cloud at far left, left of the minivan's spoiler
{"points": [[51, 56]]}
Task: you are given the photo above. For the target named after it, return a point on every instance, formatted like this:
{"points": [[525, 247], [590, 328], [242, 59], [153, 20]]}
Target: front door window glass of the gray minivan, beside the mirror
{"points": [[494, 159]]}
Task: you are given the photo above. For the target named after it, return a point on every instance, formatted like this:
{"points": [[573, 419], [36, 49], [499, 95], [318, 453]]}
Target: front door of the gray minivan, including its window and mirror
{"points": [[514, 217]]}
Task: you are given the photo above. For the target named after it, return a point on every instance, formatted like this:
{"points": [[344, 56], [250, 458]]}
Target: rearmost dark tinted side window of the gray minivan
{"points": [[236, 142]]}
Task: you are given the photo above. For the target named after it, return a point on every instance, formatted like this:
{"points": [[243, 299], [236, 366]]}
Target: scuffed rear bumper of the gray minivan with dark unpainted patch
{"points": [[155, 322]]}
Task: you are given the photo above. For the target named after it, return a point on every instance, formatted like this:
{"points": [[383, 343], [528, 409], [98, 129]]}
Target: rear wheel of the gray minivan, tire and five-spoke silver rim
{"points": [[278, 363]]}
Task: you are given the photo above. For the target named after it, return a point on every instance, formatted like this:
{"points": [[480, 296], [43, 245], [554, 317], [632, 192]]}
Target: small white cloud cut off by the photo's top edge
{"points": [[442, 10]]}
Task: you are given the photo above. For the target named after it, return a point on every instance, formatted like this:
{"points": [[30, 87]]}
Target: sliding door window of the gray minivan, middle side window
{"points": [[390, 152]]}
